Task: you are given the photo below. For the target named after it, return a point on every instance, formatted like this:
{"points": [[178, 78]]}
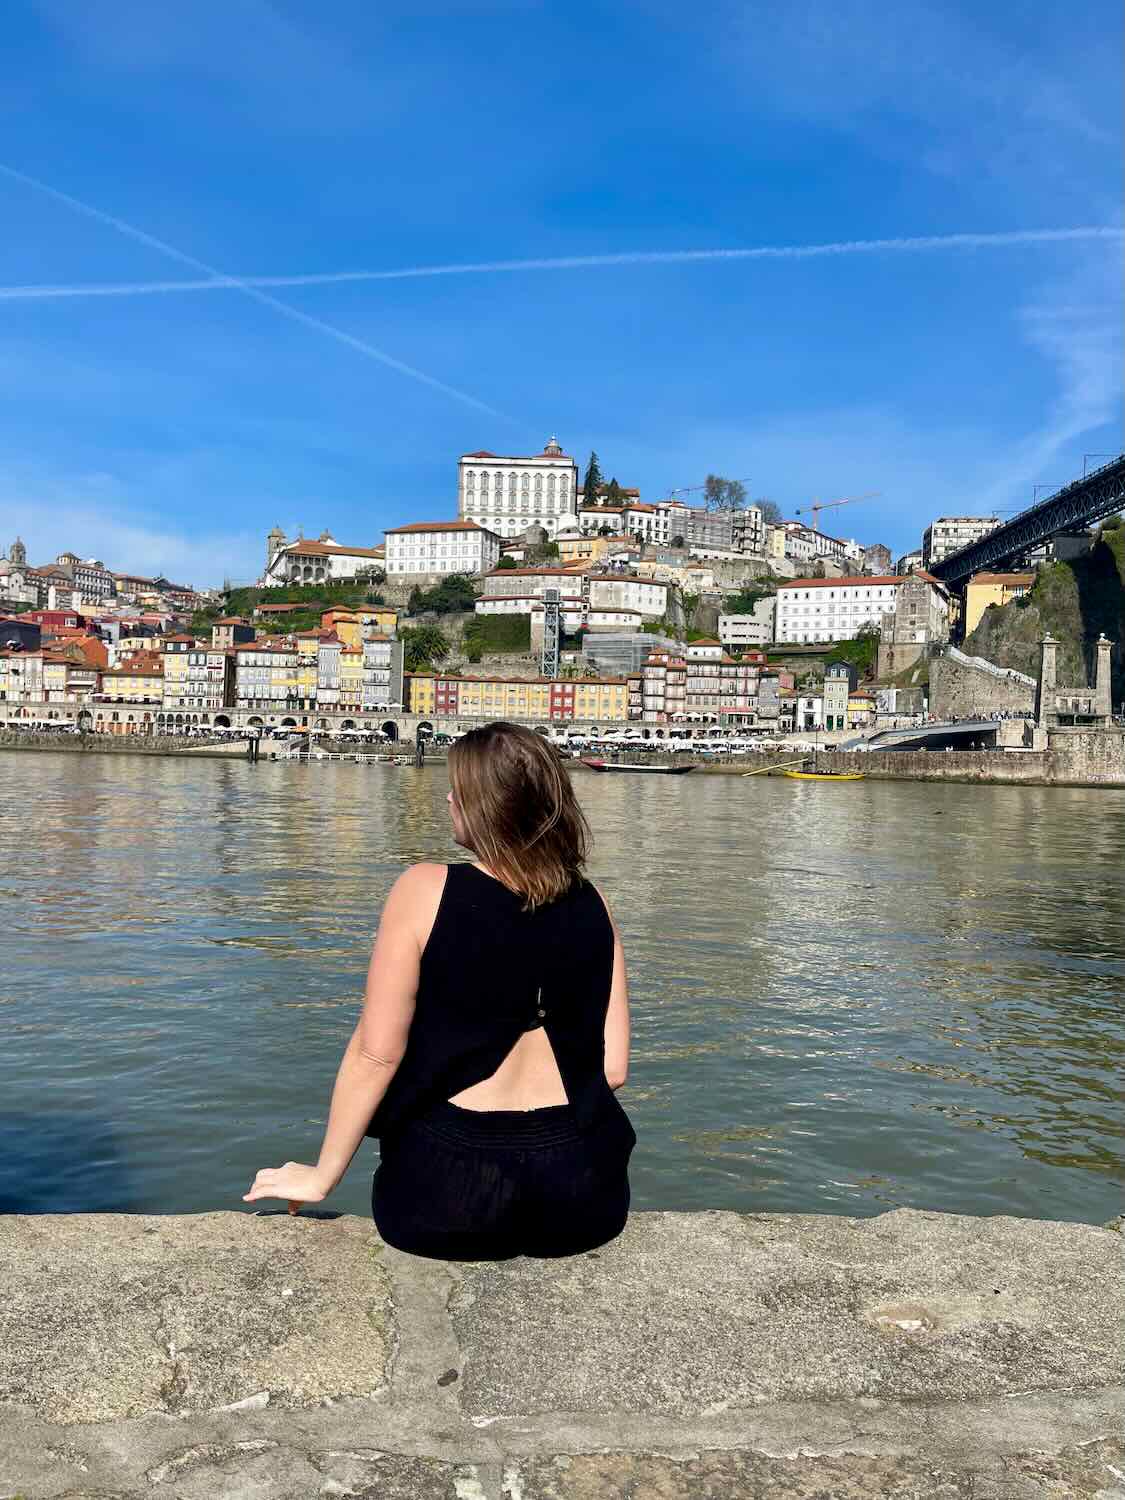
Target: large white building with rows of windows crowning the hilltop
{"points": [[508, 493]]}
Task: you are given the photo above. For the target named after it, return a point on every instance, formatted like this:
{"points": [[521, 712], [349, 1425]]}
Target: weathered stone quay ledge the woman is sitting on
{"points": [[700, 1355]]}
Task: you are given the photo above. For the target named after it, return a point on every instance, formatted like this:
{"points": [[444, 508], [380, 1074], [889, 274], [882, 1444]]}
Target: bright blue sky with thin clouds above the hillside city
{"points": [[275, 139]]}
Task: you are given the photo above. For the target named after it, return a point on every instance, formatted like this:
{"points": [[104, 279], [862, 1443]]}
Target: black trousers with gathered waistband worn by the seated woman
{"points": [[494, 1184]]}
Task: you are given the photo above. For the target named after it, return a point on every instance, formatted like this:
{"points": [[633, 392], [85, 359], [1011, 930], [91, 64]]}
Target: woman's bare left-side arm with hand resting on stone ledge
{"points": [[379, 1043]]}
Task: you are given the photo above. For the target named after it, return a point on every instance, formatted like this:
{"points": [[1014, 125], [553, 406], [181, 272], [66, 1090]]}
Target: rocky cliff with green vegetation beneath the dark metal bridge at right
{"points": [[1072, 601]]}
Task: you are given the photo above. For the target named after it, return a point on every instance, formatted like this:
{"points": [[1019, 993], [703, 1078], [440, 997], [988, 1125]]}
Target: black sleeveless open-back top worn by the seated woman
{"points": [[493, 971]]}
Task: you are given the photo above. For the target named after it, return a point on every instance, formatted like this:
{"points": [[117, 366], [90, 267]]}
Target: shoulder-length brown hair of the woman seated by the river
{"points": [[520, 811]]}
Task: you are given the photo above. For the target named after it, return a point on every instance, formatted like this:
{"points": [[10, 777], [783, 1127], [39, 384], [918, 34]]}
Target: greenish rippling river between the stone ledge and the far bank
{"points": [[845, 998]]}
